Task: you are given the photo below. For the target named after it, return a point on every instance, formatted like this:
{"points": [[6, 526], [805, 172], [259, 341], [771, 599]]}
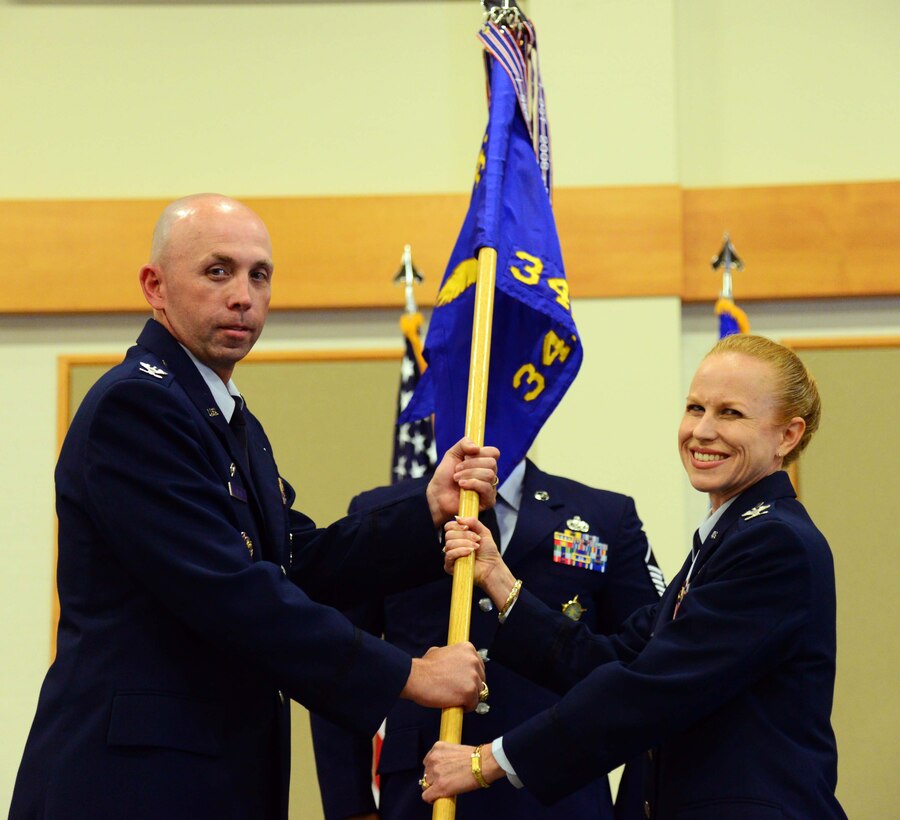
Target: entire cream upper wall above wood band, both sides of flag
{"points": [[340, 98]]}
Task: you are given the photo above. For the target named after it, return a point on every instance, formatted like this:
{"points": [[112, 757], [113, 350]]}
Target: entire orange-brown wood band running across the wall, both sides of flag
{"points": [[801, 241]]}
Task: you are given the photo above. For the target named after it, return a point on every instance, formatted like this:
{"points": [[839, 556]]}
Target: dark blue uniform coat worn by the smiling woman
{"points": [[729, 696]]}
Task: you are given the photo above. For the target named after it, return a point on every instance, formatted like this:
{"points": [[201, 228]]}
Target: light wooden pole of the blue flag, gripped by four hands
{"points": [[463, 570]]}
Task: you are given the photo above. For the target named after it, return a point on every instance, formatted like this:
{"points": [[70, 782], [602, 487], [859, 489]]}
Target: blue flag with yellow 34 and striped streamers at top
{"points": [[535, 350]]}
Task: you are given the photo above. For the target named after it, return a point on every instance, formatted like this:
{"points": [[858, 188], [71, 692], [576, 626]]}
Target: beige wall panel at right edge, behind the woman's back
{"points": [[848, 482]]}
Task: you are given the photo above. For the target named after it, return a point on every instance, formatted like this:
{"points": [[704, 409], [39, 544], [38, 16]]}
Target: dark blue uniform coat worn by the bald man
{"points": [[191, 603]]}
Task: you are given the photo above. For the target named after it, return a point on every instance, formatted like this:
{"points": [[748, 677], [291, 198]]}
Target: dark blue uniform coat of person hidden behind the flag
{"points": [[417, 619]]}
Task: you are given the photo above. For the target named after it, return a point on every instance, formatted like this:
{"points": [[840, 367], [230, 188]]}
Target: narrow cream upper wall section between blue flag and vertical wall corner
{"points": [[608, 69]]}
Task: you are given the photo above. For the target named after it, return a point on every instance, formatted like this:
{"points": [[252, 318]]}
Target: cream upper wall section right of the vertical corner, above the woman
{"points": [[786, 91]]}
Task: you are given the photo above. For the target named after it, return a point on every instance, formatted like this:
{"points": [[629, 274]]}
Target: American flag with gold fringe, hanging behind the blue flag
{"points": [[414, 451]]}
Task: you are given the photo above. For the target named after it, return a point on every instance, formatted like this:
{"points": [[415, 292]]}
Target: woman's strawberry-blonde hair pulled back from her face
{"points": [[797, 392]]}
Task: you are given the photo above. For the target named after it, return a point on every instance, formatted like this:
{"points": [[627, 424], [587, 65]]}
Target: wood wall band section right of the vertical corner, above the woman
{"points": [[797, 241]]}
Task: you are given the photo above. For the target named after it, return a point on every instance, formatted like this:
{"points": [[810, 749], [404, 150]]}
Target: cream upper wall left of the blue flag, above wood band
{"points": [[283, 99]]}
